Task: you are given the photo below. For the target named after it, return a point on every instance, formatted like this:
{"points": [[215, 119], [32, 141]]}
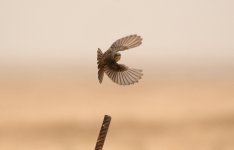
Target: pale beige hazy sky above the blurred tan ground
{"points": [[177, 34]]}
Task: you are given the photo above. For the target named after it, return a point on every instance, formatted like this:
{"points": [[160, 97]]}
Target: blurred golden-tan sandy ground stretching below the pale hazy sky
{"points": [[66, 114]]}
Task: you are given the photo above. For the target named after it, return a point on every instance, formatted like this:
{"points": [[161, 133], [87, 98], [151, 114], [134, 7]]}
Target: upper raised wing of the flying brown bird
{"points": [[125, 43]]}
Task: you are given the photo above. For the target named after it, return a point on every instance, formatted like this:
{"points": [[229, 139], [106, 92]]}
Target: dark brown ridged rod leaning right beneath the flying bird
{"points": [[103, 133]]}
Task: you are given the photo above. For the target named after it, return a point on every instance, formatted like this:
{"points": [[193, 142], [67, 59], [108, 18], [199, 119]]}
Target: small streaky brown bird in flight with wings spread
{"points": [[108, 62]]}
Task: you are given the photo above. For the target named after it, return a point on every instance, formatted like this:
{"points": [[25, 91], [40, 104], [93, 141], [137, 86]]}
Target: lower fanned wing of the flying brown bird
{"points": [[122, 75]]}
